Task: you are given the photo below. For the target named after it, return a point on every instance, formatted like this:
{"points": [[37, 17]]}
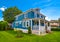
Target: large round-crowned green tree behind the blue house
{"points": [[10, 13]]}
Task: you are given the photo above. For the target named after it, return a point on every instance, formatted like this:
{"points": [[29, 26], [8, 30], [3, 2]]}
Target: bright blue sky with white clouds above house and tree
{"points": [[50, 8]]}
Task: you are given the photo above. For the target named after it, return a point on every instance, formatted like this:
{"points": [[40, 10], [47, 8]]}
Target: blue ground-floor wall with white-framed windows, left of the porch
{"points": [[21, 24]]}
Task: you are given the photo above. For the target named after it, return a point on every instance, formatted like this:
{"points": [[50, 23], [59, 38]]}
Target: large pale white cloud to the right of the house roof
{"points": [[51, 12]]}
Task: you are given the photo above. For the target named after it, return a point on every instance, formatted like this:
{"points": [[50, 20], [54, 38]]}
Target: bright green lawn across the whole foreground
{"points": [[10, 36]]}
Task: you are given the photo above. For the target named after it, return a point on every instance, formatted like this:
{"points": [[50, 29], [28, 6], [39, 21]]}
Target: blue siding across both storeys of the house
{"points": [[29, 15]]}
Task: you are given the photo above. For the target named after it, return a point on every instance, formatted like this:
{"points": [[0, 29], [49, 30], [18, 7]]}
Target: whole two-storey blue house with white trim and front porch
{"points": [[34, 19]]}
